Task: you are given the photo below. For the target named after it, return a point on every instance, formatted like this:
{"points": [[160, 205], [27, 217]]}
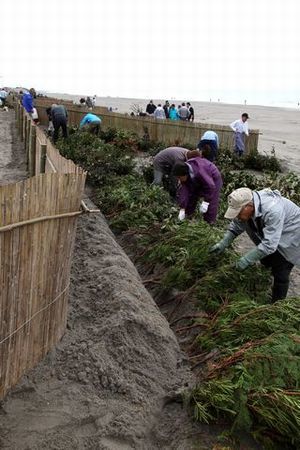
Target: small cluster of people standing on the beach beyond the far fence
{"points": [[183, 112]]}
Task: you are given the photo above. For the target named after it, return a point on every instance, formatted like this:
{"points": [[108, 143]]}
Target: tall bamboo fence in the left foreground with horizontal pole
{"points": [[37, 230]]}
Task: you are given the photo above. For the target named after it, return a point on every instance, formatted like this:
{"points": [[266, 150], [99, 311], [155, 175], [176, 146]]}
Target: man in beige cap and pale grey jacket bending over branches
{"points": [[273, 224]]}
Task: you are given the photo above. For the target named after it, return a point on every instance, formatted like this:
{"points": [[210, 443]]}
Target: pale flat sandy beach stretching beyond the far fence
{"points": [[279, 127]]}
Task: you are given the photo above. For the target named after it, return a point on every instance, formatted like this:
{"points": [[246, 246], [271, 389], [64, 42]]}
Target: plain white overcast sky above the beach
{"points": [[153, 48]]}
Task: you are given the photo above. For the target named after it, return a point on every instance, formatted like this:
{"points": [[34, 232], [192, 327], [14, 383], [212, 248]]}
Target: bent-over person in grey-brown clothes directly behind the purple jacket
{"points": [[164, 162]]}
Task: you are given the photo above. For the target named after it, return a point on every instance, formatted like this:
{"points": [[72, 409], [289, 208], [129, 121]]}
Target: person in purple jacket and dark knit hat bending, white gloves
{"points": [[199, 178]]}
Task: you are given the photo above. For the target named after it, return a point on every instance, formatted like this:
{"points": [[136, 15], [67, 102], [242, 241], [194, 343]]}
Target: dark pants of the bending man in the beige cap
{"points": [[281, 269]]}
